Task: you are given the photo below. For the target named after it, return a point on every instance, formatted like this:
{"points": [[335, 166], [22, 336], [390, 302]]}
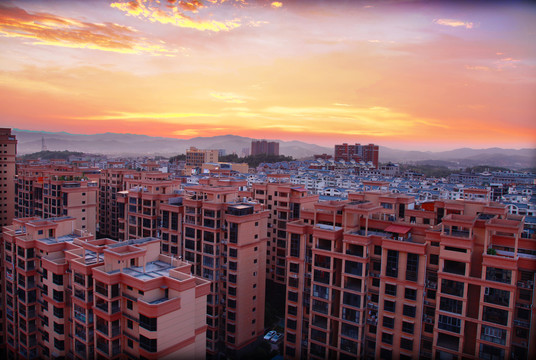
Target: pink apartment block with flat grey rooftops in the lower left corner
{"points": [[68, 295]]}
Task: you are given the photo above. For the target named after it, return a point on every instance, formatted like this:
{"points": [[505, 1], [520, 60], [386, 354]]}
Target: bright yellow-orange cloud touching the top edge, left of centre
{"points": [[179, 14]]}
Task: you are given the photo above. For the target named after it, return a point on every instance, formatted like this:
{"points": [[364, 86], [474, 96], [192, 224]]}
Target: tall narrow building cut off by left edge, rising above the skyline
{"points": [[8, 152]]}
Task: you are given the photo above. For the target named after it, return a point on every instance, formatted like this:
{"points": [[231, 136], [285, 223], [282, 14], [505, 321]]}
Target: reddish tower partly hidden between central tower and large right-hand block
{"points": [[283, 202]]}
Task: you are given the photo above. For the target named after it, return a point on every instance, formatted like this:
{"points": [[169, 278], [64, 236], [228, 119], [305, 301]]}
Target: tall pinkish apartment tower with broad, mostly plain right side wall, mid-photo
{"points": [[225, 241]]}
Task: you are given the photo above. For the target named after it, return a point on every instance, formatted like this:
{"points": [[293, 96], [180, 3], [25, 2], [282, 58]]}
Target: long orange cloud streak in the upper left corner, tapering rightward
{"points": [[49, 29]]}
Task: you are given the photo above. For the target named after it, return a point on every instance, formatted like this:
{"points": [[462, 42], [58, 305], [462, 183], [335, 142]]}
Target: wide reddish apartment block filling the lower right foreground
{"points": [[378, 277]]}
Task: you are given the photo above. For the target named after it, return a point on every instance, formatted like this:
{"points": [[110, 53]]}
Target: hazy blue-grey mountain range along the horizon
{"points": [[131, 144]]}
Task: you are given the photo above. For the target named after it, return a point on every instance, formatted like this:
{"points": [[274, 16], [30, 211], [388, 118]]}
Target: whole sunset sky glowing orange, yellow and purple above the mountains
{"points": [[413, 75]]}
